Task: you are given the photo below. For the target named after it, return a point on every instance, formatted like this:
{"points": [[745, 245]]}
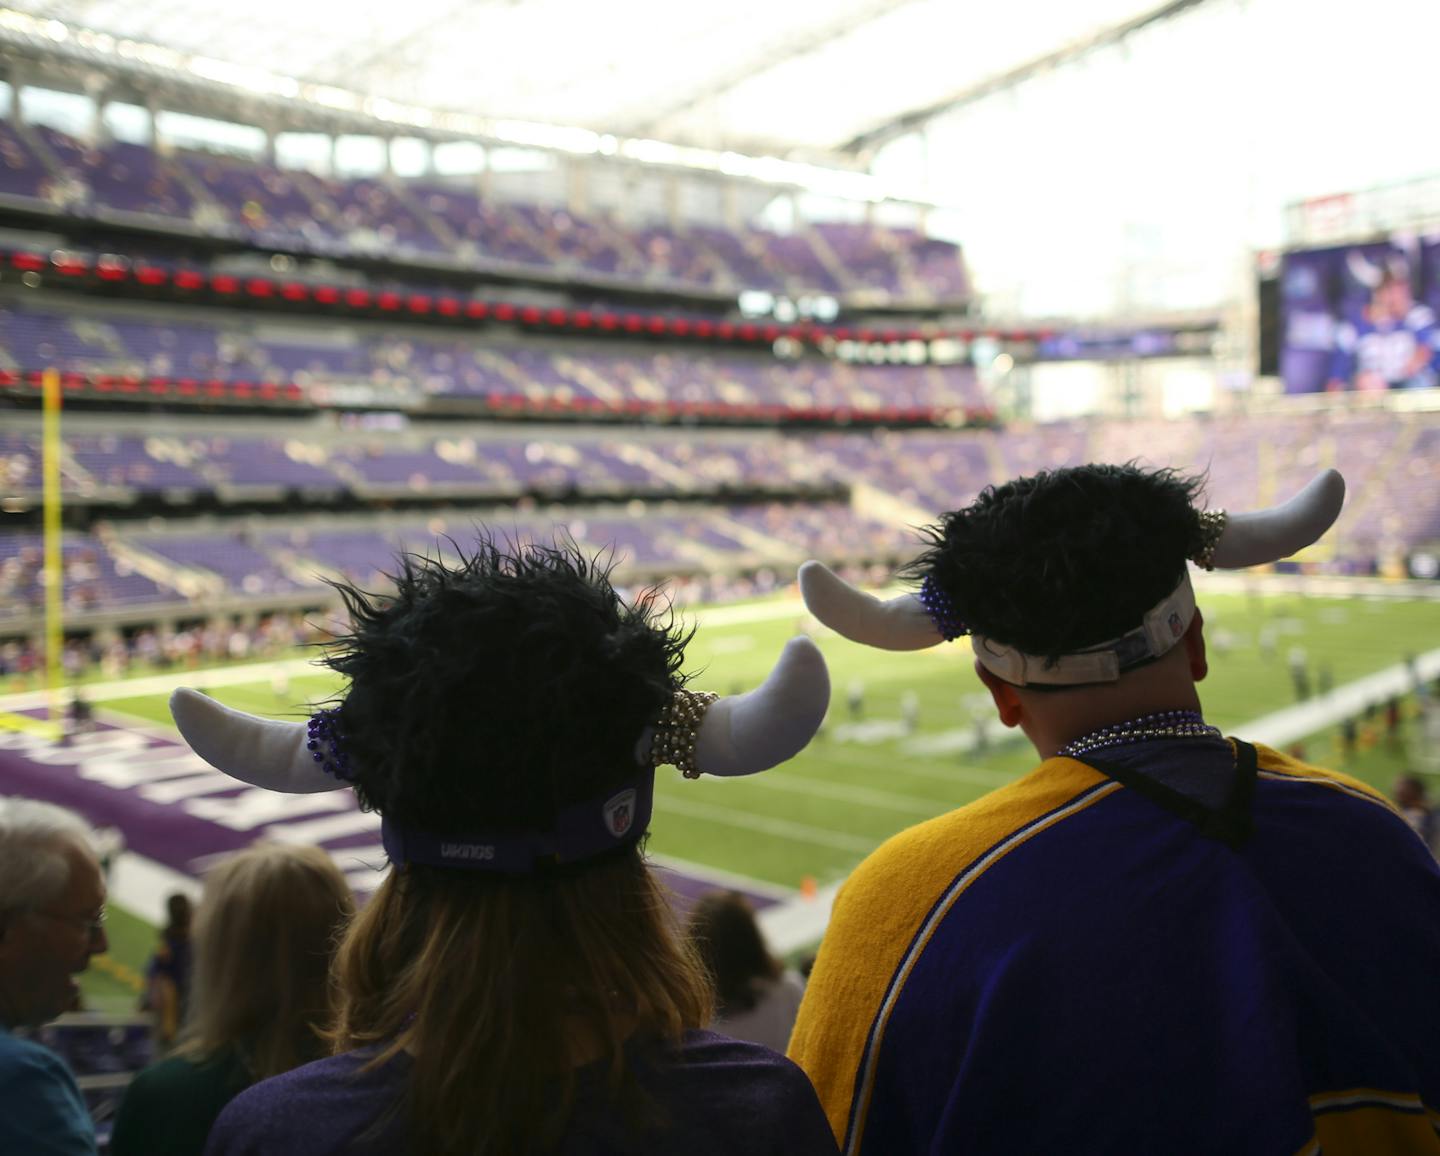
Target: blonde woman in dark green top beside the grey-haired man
{"points": [[264, 944]]}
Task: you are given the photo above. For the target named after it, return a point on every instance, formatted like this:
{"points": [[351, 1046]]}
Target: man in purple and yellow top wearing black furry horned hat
{"points": [[1151, 944]]}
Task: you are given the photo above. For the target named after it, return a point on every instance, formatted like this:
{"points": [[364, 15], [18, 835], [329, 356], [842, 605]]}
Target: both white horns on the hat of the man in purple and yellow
{"points": [[906, 624]]}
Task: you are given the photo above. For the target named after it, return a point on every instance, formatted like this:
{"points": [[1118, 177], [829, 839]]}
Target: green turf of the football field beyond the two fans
{"points": [[872, 774]]}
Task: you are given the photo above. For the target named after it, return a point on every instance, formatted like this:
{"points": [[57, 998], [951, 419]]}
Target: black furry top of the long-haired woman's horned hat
{"points": [[493, 692]]}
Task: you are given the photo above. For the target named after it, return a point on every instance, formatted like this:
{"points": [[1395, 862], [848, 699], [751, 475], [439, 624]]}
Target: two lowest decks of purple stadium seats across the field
{"points": [[850, 499]]}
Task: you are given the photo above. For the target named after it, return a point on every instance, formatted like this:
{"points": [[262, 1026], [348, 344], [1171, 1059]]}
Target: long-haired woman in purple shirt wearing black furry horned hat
{"points": [[518, 984]]}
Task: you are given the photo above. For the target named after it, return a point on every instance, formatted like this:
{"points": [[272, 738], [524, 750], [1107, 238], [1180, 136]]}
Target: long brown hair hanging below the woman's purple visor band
{"points": [[502, 987]]}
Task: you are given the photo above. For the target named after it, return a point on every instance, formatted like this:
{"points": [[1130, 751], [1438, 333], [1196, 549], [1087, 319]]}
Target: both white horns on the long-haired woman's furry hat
{"points": [[741, 735]]}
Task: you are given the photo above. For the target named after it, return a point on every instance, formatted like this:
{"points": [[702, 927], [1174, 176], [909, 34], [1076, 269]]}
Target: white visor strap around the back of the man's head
{"points": [[1164, 626]]}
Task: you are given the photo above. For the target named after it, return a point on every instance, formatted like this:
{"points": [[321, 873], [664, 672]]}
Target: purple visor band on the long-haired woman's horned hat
{"points": [[581, 831]]}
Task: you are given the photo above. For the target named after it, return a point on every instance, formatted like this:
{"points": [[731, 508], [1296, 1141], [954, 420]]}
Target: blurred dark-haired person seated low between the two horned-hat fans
{"points": [[757, 998]]}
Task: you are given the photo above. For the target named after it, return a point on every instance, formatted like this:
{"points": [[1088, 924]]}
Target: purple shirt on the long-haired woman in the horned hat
{"points": [[722, 1096]]}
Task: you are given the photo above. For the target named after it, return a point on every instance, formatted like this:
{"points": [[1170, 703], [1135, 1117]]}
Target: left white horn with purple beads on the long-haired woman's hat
{"points": [[256, 751]]}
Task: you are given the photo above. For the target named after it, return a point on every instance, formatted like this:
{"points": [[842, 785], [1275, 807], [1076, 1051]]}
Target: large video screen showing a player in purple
{"points": [[1362, 317]]}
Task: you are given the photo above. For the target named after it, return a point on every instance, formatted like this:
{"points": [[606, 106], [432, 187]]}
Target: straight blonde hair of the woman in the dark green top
{"points": [[266, 936]]}
